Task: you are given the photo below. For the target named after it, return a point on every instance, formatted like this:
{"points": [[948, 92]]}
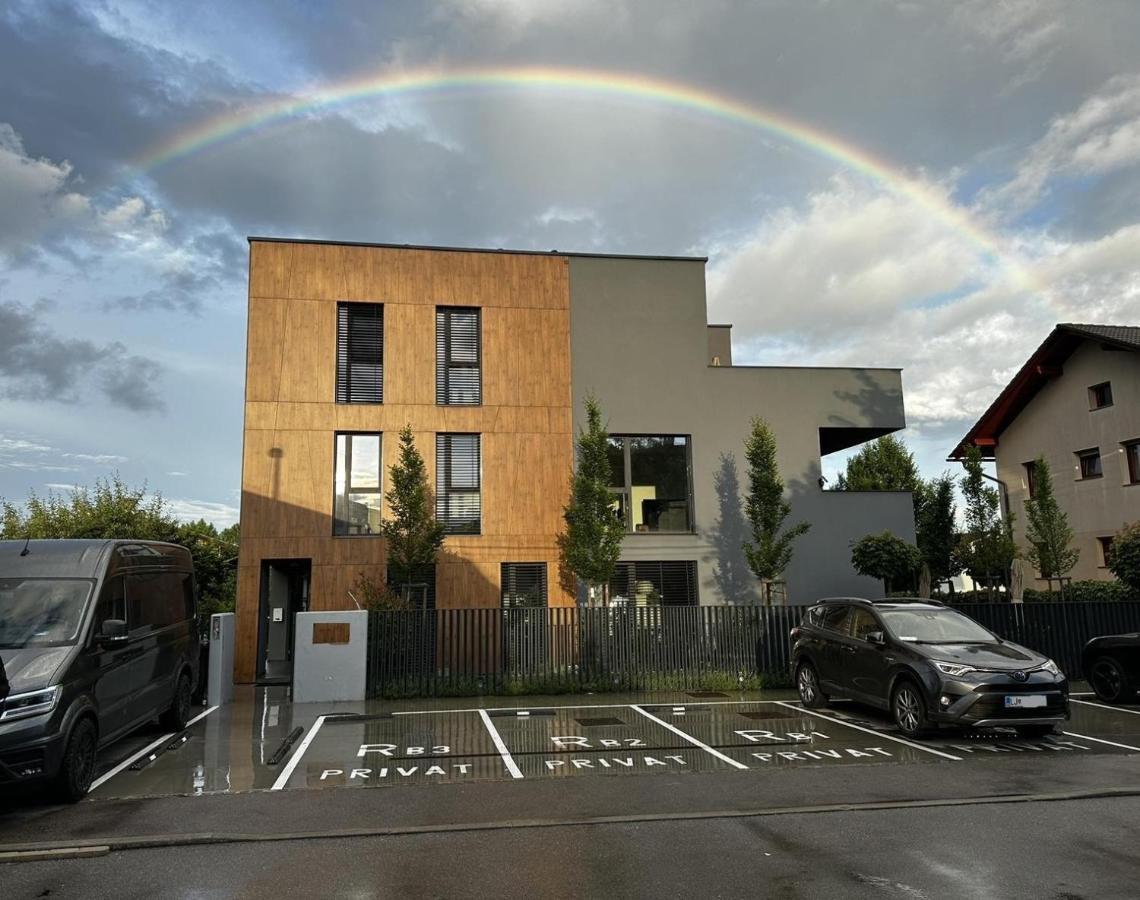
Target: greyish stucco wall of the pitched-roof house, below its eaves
{"points": [[1057, 424]]}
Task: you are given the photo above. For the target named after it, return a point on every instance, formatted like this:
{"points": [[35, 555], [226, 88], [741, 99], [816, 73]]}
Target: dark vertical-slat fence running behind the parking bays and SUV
{"points": [[528, 651]]}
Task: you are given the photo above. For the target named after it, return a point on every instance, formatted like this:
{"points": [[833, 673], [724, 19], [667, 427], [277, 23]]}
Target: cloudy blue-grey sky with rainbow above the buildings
{"points": [[890, 183]]}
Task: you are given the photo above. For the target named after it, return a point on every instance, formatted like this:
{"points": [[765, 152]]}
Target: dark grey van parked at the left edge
{"points": [[97, 638]]}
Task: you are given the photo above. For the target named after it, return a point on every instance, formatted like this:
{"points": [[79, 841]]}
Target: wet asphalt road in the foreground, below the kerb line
{"points": [[1076, 849]]}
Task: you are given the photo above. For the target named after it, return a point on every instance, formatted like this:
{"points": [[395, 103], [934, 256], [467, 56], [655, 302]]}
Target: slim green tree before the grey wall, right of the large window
{"points": [[767, 510]]}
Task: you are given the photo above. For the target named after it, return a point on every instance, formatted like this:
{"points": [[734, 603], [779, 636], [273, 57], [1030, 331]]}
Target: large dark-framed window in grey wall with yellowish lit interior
{"points": [[650, 481]]}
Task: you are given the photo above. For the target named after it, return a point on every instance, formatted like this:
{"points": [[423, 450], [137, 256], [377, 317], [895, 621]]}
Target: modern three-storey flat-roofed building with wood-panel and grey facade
{"points": [[490, 356]]}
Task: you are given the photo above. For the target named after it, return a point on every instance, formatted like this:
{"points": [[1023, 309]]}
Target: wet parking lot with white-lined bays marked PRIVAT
{"points": [[264, 743]]}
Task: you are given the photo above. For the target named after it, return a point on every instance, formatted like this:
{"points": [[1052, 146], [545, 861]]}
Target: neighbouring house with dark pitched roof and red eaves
{"points": [[1077, 402]]}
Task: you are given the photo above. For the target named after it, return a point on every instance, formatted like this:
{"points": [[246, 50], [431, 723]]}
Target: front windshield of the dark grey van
{"points": [[42, 612]]}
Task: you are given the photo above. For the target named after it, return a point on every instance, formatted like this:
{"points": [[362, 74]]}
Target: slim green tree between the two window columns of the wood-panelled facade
{"points": [[413, 532]]}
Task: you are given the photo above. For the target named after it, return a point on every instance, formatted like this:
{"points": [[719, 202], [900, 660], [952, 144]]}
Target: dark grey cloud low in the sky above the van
{"points": [[38, 364]]}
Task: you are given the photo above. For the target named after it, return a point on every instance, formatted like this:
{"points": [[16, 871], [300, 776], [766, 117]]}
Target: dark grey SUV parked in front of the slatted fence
{"points": [[927, 664]]}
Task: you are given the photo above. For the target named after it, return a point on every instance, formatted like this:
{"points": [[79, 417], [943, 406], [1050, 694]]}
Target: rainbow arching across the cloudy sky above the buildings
{"points": [[234, 125]]}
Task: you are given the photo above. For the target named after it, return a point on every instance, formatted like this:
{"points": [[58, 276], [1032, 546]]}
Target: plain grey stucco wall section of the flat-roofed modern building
{"points": [[640, 344]]}
